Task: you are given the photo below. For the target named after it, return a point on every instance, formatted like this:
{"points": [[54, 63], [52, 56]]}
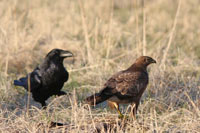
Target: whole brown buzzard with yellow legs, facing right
{"points": [[125, 86]]}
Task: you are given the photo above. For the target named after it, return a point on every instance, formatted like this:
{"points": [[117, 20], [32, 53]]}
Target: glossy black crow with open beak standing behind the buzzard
{"points": [[48, 78]]}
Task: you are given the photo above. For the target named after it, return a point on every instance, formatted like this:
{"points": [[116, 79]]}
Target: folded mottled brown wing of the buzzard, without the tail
{"points": [[127, 83]]}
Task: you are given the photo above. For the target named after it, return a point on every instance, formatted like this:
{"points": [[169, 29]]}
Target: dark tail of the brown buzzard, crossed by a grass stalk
{"points": [[97, 98]]}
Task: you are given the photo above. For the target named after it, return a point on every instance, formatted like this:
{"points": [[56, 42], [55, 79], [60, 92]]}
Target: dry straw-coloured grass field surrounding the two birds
{"points": [[106, 36]]}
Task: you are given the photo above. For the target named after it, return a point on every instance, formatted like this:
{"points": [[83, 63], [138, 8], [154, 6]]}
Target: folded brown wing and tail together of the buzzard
{"points": [[124, 85]]}
